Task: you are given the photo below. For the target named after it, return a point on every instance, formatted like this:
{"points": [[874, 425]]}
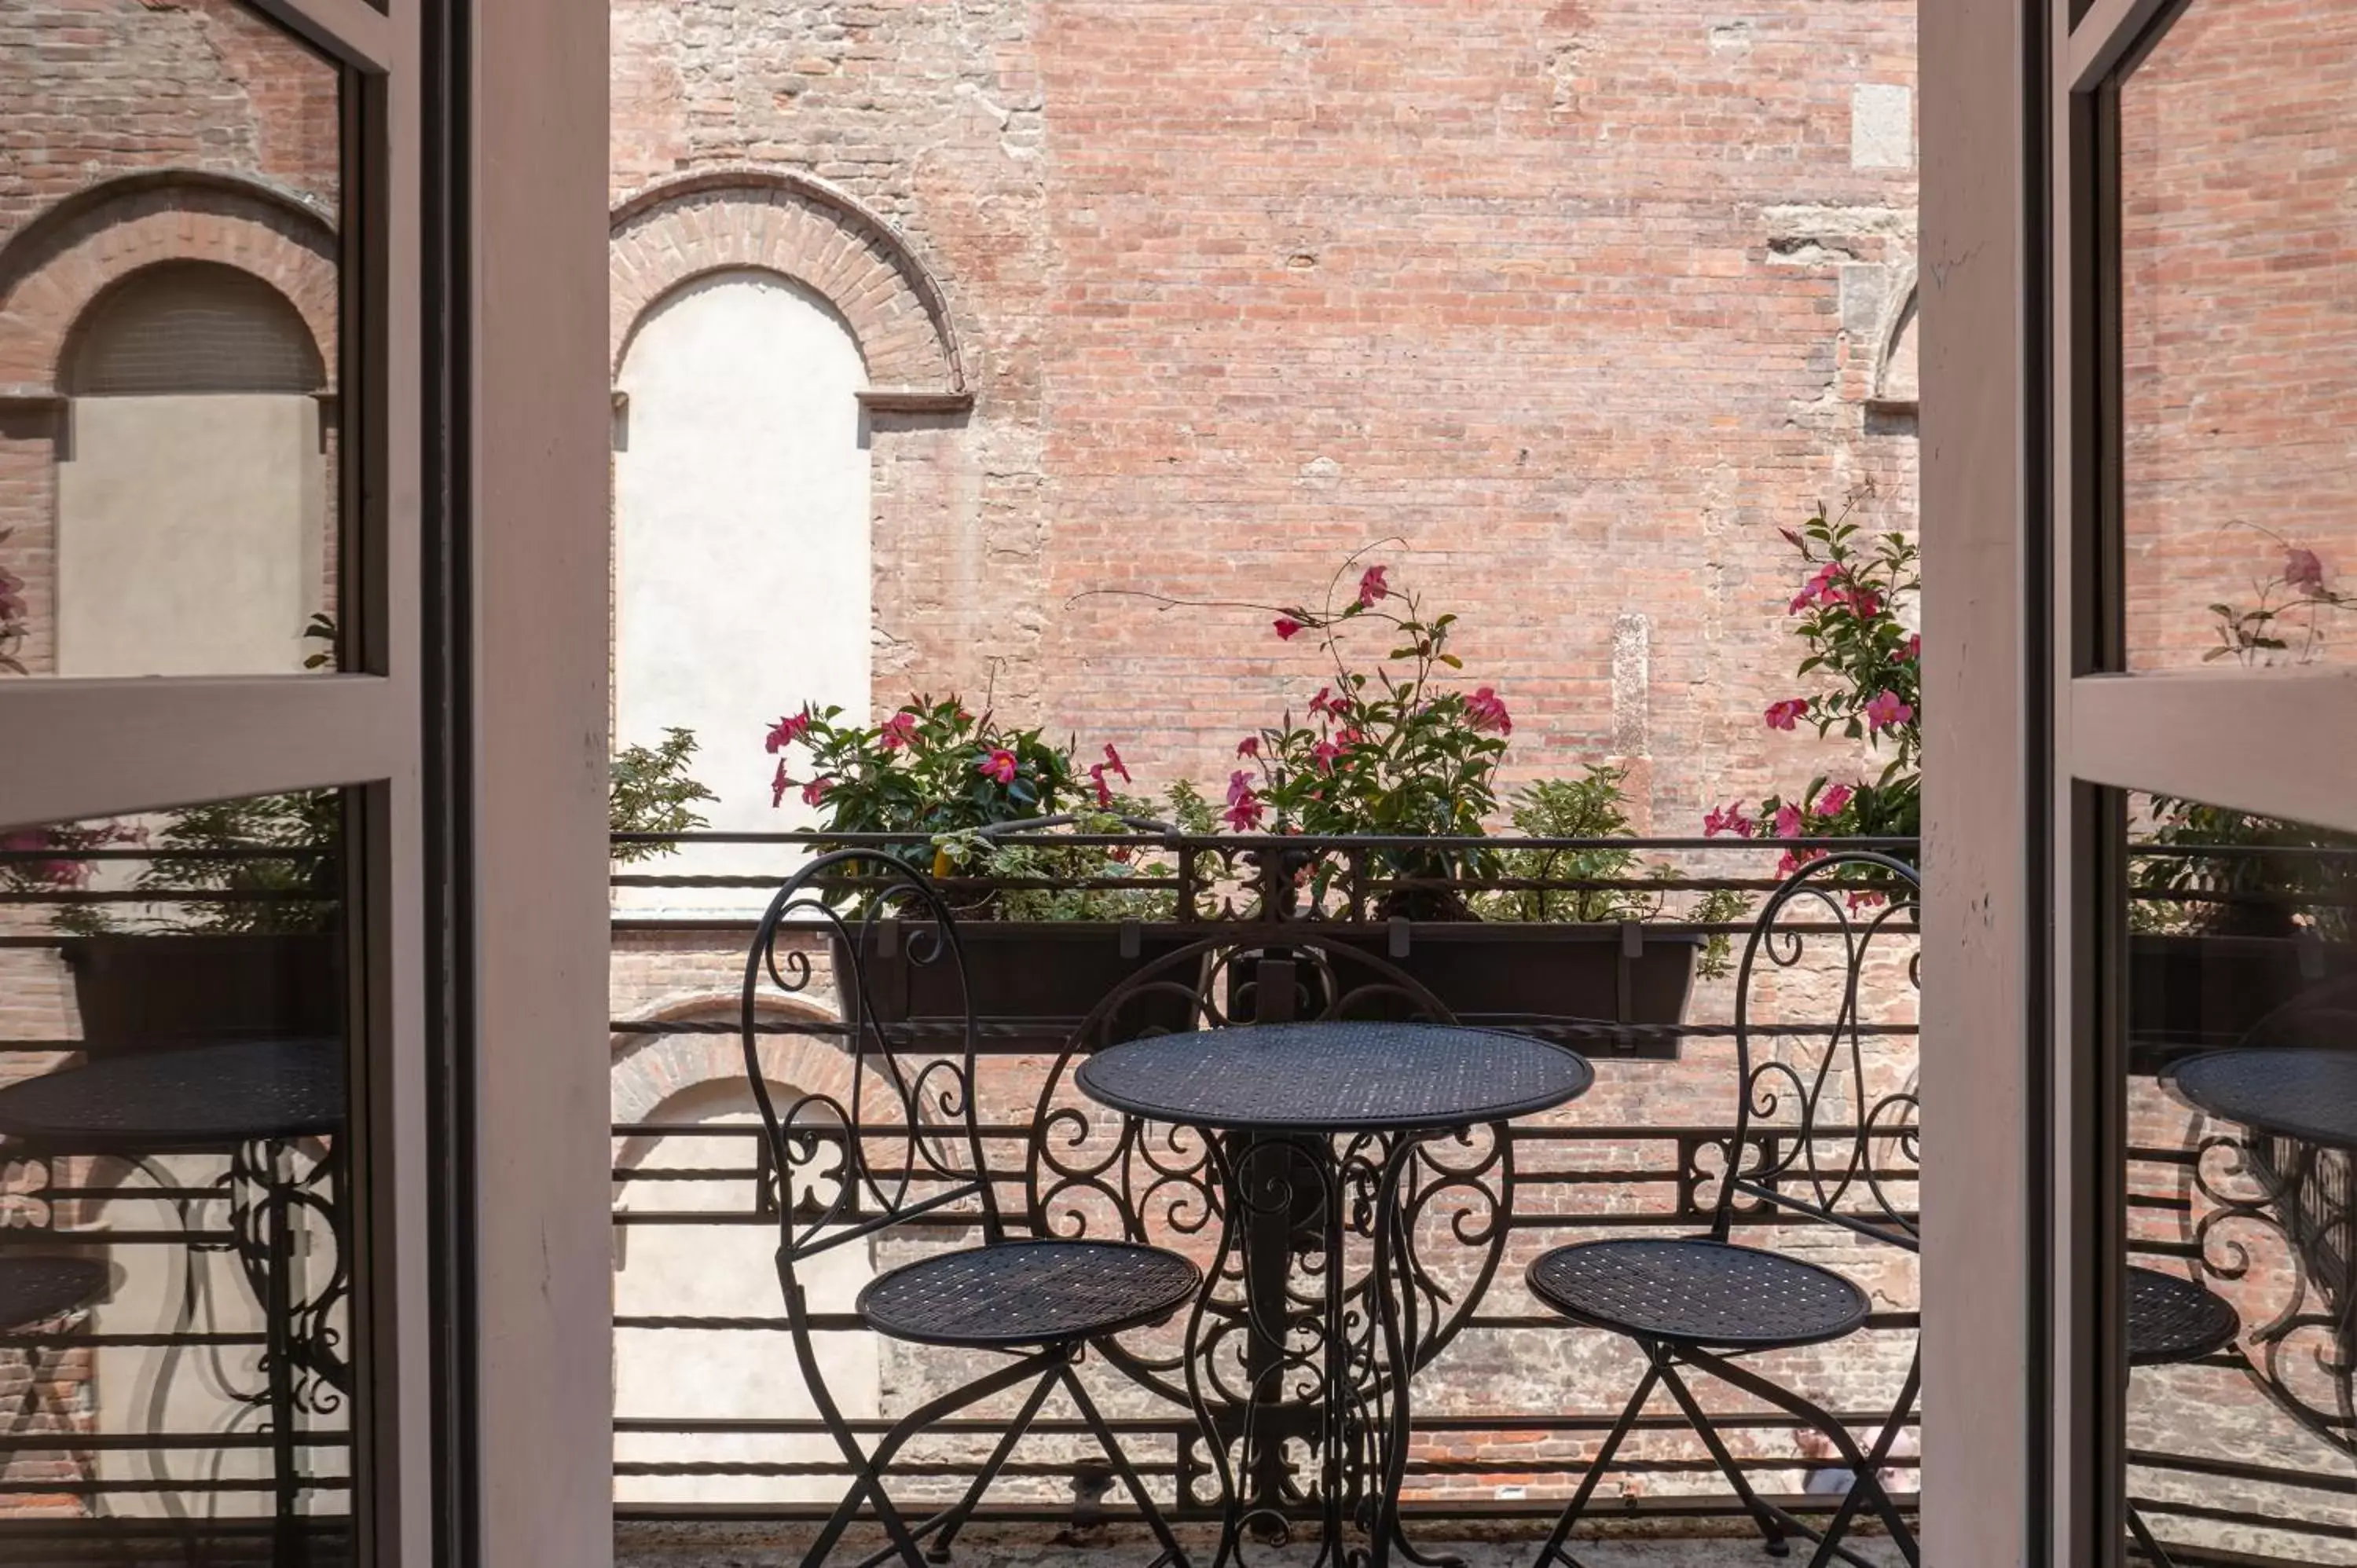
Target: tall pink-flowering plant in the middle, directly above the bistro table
{"points": [[1387, 749]]}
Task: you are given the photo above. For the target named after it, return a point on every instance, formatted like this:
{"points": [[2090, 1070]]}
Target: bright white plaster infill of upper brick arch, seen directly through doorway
{"points": [[744, 539]]}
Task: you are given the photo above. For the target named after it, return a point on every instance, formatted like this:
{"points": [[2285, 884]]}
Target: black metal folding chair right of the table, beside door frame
{"points": [[1807, 1142]]}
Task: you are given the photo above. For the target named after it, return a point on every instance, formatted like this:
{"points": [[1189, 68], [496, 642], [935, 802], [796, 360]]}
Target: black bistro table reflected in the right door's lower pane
{"points": [[2299, 1109]]}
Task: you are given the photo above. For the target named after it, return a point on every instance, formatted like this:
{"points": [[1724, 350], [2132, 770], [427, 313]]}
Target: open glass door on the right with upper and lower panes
{"points": [[2205, 782]]}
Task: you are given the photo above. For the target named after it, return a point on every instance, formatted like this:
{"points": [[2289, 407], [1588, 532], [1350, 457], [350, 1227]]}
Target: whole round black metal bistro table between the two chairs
{"points": [[1316, 1131]]}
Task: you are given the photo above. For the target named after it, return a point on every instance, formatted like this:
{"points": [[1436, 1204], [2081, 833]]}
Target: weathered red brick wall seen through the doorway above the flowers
{"points": [[1578, 301]]}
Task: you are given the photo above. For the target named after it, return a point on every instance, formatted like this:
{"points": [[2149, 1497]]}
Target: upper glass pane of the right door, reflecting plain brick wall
{"points": [[2238, 164]]}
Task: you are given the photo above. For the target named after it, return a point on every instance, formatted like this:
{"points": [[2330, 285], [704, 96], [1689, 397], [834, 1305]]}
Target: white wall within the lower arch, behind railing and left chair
{"points": [[725, 1272]]}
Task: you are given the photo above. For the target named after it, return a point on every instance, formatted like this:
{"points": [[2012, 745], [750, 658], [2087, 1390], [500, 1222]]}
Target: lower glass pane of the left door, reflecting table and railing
{"points": [[173, 1180]]}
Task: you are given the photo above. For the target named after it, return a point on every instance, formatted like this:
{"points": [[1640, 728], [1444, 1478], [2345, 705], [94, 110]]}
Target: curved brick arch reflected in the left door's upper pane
{"points": [[72, 253]]}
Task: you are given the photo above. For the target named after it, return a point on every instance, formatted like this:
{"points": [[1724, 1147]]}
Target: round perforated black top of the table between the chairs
{"points": [[1335, 1076]]}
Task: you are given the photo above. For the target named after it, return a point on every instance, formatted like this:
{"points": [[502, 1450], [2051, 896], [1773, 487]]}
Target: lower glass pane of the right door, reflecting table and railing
{"points": [[2243, 1020]]}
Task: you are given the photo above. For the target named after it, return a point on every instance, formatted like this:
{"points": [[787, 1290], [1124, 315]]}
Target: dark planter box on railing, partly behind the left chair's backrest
{"points": [[1034, 982]]}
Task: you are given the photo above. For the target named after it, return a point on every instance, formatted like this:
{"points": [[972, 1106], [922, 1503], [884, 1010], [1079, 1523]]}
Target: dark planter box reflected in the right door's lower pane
{"points": [[2200, 994]]}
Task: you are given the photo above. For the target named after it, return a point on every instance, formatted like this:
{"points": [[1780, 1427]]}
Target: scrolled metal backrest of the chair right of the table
{"points": [[1828, 1116]]}
